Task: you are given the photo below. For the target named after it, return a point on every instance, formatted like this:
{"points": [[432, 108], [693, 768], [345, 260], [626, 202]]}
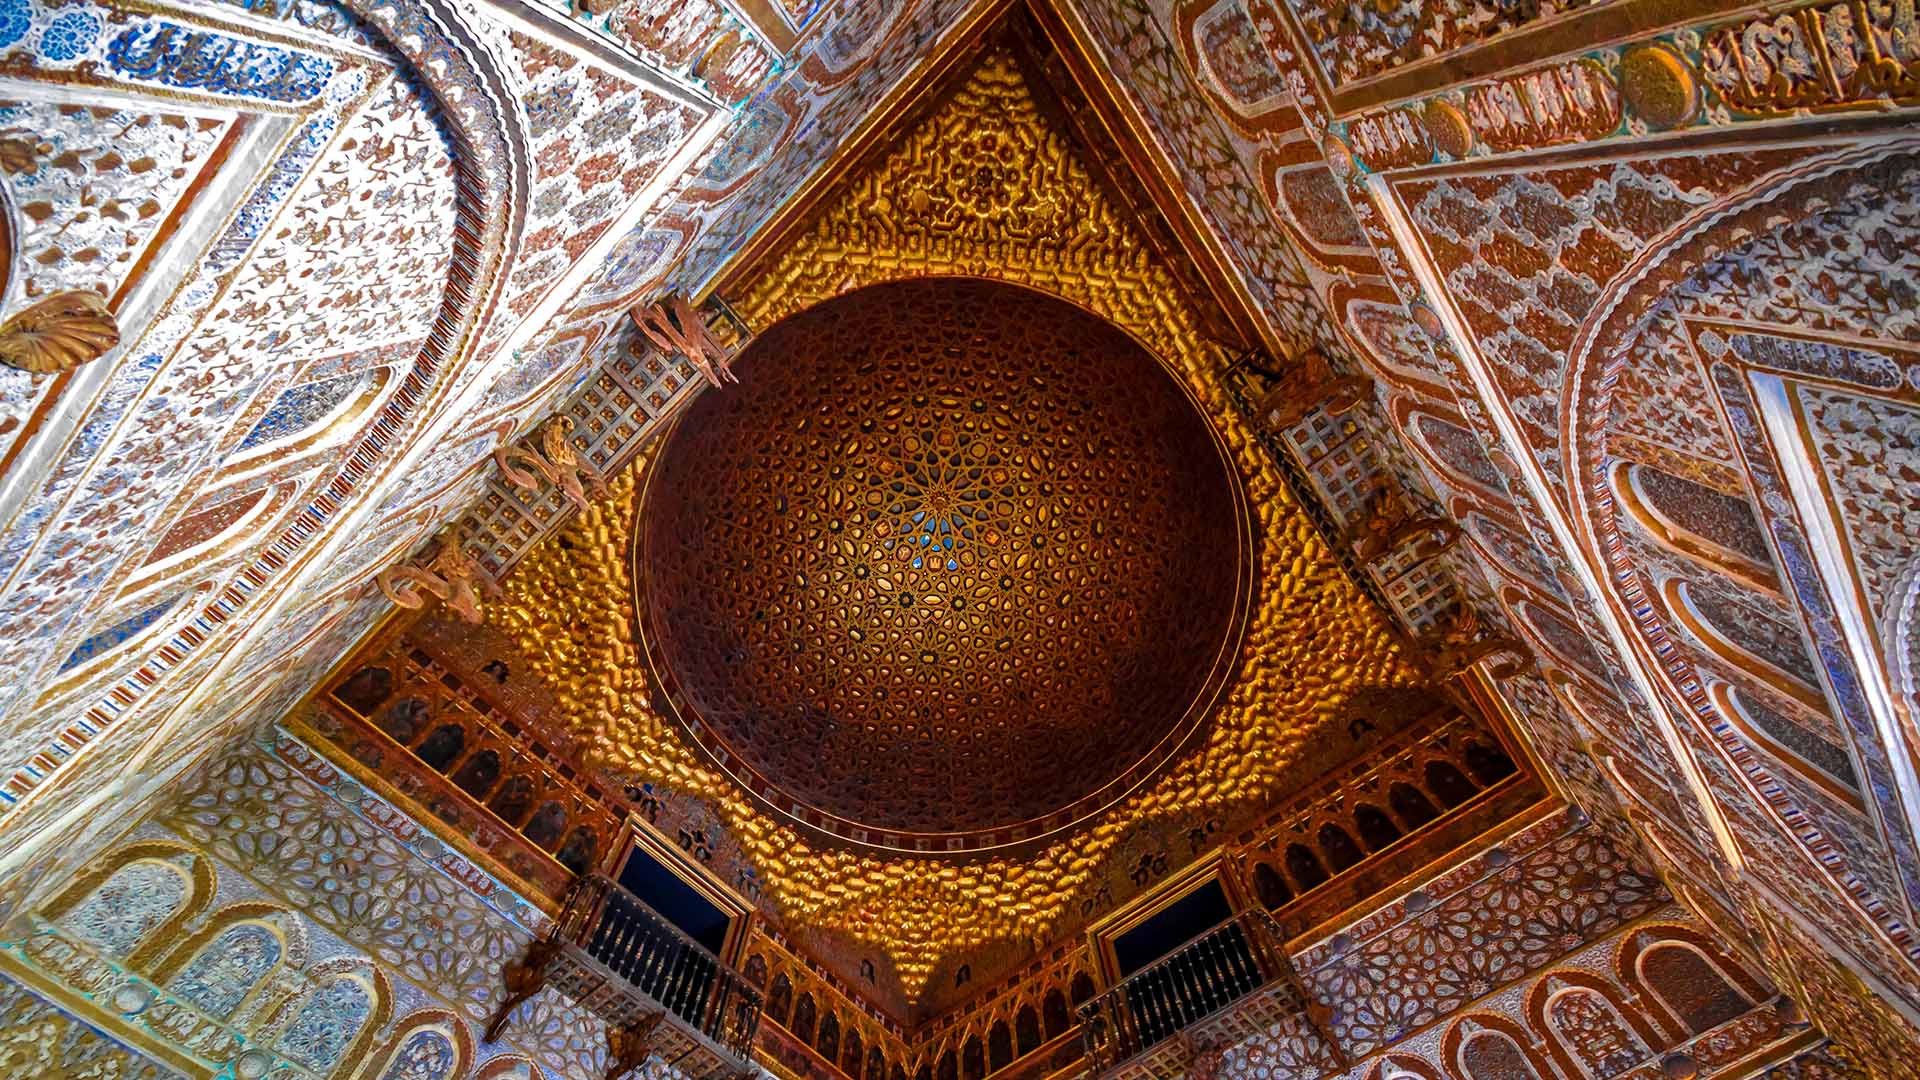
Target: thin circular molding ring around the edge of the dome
{"points": [[1013, 839]]}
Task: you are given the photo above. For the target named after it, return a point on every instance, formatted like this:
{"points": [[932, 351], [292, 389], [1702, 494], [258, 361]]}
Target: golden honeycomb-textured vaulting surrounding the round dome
{"points": [[1312, 637]]}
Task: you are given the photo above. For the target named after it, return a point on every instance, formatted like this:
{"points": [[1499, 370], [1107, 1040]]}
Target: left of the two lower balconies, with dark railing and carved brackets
{"points": [[635, 970]]}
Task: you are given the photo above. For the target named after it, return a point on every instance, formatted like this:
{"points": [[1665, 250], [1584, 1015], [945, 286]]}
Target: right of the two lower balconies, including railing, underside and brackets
{"points": [[1220, 989]]}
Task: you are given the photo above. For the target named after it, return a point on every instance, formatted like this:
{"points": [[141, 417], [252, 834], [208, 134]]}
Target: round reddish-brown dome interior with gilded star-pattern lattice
{"points": [[953, 558]]}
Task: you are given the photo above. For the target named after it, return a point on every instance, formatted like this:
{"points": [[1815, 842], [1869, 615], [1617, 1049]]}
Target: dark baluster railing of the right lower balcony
{"points": [[1195, 983]]}
